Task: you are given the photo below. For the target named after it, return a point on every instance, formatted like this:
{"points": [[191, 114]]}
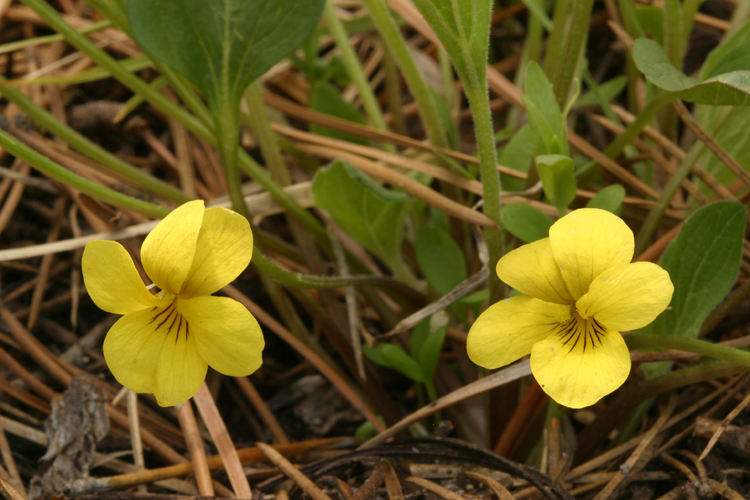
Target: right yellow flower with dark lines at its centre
{"points": [[580, 291]]}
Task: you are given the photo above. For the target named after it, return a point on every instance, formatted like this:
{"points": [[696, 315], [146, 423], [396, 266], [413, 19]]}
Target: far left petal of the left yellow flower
{"points": [[112, 280]]}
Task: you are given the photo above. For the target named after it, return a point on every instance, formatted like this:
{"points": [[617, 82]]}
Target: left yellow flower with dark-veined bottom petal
{"points": [[164, 343]]}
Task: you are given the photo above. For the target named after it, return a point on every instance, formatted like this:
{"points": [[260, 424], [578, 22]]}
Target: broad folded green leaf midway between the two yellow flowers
{"points": [[373, 217]]}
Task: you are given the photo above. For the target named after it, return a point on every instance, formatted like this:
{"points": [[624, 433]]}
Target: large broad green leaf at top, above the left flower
{"points": [[222, 45]]}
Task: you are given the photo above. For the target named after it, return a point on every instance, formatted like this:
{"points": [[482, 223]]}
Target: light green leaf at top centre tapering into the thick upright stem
{"points": [[463, 28]]}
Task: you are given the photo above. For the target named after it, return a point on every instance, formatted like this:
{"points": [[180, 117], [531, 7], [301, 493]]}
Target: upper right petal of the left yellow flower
{"points": [[223, 251]]}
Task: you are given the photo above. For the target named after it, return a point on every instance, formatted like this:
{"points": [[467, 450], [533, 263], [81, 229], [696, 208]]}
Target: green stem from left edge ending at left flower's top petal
{"points": [[65, 176]]}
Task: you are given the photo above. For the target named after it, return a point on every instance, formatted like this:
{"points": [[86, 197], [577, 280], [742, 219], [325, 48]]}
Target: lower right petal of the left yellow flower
{"points": [[227, 335]]}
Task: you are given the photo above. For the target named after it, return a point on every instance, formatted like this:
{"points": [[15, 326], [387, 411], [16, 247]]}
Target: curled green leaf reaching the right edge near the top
{"points": [[728, 89]]}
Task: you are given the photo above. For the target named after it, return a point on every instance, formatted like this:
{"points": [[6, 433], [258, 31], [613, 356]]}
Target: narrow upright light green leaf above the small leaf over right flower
{"points": [[545, 118]]}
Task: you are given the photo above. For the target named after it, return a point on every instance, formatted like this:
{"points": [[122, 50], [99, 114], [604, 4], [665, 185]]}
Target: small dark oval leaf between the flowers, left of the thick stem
{"points": [[440, 259]]}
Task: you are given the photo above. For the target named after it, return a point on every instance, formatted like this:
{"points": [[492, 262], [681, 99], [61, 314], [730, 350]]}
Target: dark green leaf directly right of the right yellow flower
{"points": [[703, 262]]}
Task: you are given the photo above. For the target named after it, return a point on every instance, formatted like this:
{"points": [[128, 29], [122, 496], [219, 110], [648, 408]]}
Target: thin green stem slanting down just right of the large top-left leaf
{"points": [[354, 68]]}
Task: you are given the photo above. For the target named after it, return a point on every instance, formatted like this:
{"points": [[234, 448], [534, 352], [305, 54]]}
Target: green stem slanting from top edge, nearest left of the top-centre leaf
{"points": [[425, 102]]}
